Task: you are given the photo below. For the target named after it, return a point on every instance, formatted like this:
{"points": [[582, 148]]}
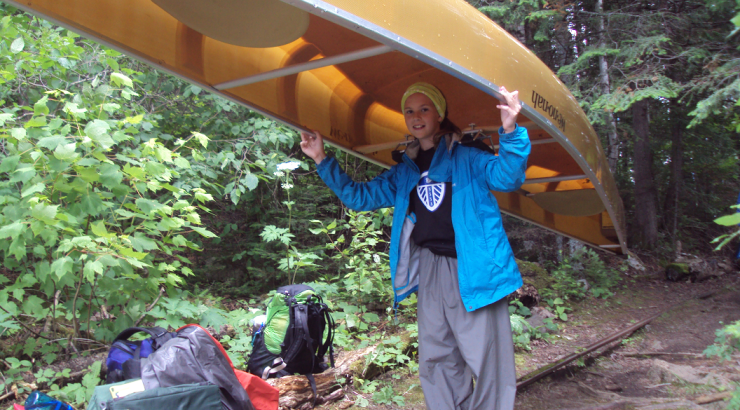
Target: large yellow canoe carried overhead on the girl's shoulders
{"points": [[341, 66]]}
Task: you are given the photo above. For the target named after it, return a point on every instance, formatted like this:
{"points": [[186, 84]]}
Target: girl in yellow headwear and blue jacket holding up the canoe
{"points": [[448, 243]]}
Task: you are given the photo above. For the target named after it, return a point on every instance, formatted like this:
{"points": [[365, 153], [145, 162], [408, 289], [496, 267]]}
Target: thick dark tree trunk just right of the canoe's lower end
{"points": [[645, 195]]}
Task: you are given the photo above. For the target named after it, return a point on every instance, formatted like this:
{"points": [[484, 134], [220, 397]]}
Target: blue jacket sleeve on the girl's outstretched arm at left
{"points": [[359, 196]]}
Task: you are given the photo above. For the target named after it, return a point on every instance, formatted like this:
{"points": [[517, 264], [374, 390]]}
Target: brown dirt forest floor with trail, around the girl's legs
{"points": [[660, 366]]}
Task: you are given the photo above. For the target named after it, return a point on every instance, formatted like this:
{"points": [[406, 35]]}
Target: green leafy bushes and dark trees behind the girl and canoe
{"points": [[128, 196]]}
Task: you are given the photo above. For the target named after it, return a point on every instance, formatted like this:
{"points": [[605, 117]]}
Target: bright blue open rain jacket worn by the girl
{"points": [[487, 270]]}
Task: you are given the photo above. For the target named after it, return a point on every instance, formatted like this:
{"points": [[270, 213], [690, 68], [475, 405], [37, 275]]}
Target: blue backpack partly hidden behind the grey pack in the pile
{"points": [[124, 356]]}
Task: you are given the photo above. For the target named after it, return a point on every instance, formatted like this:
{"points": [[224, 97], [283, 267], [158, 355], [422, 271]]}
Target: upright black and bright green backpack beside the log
{"points": [[292, 338]]}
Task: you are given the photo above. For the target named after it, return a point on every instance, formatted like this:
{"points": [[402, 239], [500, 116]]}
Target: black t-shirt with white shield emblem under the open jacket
{"points": [[432, 203]]}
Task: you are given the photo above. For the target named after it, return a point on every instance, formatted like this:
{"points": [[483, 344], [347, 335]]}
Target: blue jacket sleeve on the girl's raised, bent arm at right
{"points": [[505, 172]]}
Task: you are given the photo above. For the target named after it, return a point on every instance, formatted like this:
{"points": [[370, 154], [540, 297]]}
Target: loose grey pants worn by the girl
{"points": [[457, 346]]}
